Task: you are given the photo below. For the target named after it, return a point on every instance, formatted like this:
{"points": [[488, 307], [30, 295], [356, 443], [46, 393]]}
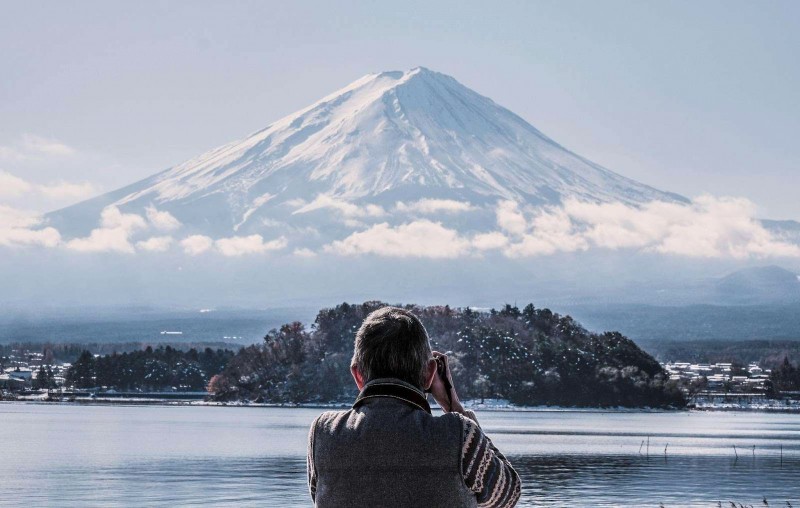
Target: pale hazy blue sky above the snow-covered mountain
{"points": [[691, 97]]}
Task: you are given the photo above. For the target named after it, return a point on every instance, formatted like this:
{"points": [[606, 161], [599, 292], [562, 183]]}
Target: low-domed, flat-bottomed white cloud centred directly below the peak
{"points": [[422, 239]]}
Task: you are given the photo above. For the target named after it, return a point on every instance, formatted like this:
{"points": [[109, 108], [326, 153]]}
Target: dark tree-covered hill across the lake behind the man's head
{"points": [[528, 356]]}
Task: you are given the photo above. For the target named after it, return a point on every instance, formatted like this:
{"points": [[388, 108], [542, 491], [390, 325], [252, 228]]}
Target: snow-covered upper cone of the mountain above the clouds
{"points": [[378, 144]]}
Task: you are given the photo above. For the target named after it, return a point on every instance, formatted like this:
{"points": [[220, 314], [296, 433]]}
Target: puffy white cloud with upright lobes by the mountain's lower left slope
{"points": [[113, 235]]}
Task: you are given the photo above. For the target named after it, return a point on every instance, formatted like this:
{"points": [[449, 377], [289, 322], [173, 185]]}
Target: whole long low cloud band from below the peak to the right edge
{"points": [[708, 227]]}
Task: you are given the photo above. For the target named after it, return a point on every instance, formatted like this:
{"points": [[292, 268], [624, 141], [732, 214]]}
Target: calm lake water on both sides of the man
{"points": [[69, 455]]}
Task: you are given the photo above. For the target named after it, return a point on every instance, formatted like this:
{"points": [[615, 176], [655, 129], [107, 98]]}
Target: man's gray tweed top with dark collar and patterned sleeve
{"points": [[390, 451]]}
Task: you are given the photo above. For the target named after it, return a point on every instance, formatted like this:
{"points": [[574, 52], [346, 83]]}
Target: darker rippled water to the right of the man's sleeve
{"points": [[589, 480]]}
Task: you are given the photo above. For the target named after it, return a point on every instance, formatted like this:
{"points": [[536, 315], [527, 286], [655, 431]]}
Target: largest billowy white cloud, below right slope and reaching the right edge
{"points": [[708, 227]]}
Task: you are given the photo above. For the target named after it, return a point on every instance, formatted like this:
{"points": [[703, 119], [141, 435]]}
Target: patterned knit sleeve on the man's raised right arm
{"points": [[486, 471]]}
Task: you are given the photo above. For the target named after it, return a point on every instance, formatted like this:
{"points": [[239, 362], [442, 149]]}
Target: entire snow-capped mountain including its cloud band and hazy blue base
{"points": [[402, 186]]}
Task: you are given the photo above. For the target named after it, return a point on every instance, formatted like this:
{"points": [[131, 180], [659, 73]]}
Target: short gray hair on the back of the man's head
{"points": [[392, 342]]}
